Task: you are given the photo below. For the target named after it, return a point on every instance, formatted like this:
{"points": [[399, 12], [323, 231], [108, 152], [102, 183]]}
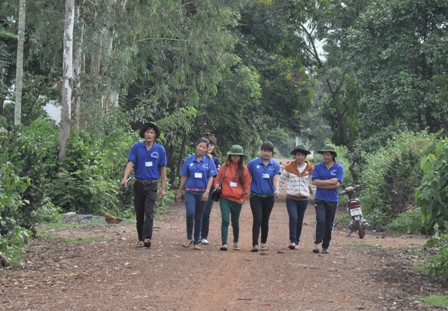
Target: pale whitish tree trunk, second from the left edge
{"points": [[67, 78]]}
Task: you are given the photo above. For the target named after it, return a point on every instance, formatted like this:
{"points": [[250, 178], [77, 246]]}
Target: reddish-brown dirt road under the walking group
{"points": [[111, 274]]}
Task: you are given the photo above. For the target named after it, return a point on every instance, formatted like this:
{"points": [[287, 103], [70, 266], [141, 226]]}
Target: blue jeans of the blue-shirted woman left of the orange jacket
{"points": [[195, 209]]}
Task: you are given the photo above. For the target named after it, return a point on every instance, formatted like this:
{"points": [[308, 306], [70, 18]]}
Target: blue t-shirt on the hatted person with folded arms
{"points": [[321, 172]]}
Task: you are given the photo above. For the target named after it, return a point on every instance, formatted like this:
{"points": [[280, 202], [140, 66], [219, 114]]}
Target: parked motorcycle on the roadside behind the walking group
{"points": [[358, 223]]}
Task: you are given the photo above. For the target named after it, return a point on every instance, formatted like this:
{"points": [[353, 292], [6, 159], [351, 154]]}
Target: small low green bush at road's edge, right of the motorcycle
{"points": [[409, 222]]}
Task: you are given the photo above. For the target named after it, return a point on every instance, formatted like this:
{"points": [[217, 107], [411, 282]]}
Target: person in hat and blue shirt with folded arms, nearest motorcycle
{"points": [[327, 176]]}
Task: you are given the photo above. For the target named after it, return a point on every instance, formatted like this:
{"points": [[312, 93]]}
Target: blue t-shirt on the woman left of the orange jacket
{"points": [[198, 173]]}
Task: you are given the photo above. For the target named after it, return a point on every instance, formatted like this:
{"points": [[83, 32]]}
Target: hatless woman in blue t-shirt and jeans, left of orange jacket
{"points": [[197, 173]]}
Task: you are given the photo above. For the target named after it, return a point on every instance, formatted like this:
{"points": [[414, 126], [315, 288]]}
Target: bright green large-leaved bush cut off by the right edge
{"points": [[432, 195]]}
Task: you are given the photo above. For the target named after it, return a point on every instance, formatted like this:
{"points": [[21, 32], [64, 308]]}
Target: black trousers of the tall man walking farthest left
{"points": [[144, 204]]}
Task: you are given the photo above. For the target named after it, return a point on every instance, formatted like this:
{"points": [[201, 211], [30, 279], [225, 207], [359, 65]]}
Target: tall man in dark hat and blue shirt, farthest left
{"points": [[148, 160]]}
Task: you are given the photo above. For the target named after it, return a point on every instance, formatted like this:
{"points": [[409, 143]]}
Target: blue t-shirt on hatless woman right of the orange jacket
{"points": [[263, 176]]}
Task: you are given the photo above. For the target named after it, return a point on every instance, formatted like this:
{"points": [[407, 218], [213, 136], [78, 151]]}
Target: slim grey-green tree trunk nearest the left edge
{"points": [[19, 70]]}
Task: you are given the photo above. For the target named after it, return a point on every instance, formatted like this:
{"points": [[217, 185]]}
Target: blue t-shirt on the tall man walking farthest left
{"points": [[147, 163]]}
